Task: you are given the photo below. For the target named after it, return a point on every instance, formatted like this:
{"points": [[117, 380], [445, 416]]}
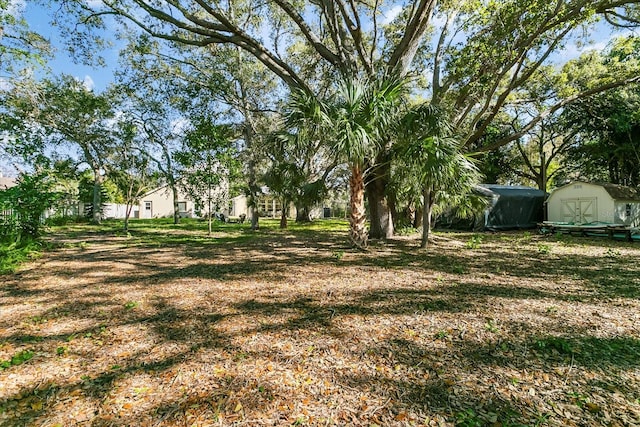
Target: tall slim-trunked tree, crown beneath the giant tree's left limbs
{"points": [[234, 84]]}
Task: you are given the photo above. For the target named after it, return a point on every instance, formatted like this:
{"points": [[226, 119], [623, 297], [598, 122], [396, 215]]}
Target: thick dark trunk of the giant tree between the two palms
{"points": [[379, 209]]}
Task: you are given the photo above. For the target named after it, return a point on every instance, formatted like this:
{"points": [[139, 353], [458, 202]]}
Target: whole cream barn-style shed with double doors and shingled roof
{"points": [[583, 202]]}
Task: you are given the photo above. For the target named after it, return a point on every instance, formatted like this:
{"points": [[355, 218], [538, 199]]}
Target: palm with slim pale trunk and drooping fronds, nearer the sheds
{"points": [[435, 157]]}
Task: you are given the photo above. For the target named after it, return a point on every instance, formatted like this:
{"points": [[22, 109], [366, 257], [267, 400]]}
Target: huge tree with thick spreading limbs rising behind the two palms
{"points": [[473, 76]]}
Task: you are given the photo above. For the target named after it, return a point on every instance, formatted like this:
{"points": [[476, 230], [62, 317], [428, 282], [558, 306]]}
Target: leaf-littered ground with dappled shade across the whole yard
{"points": [[167, 327]]}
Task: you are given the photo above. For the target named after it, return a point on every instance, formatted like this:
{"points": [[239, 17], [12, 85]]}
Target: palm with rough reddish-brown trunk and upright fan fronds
{"points": [[354, 122]]}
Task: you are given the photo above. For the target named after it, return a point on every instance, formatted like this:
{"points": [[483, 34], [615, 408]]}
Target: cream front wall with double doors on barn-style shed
{"points": [[581, 202]]}
